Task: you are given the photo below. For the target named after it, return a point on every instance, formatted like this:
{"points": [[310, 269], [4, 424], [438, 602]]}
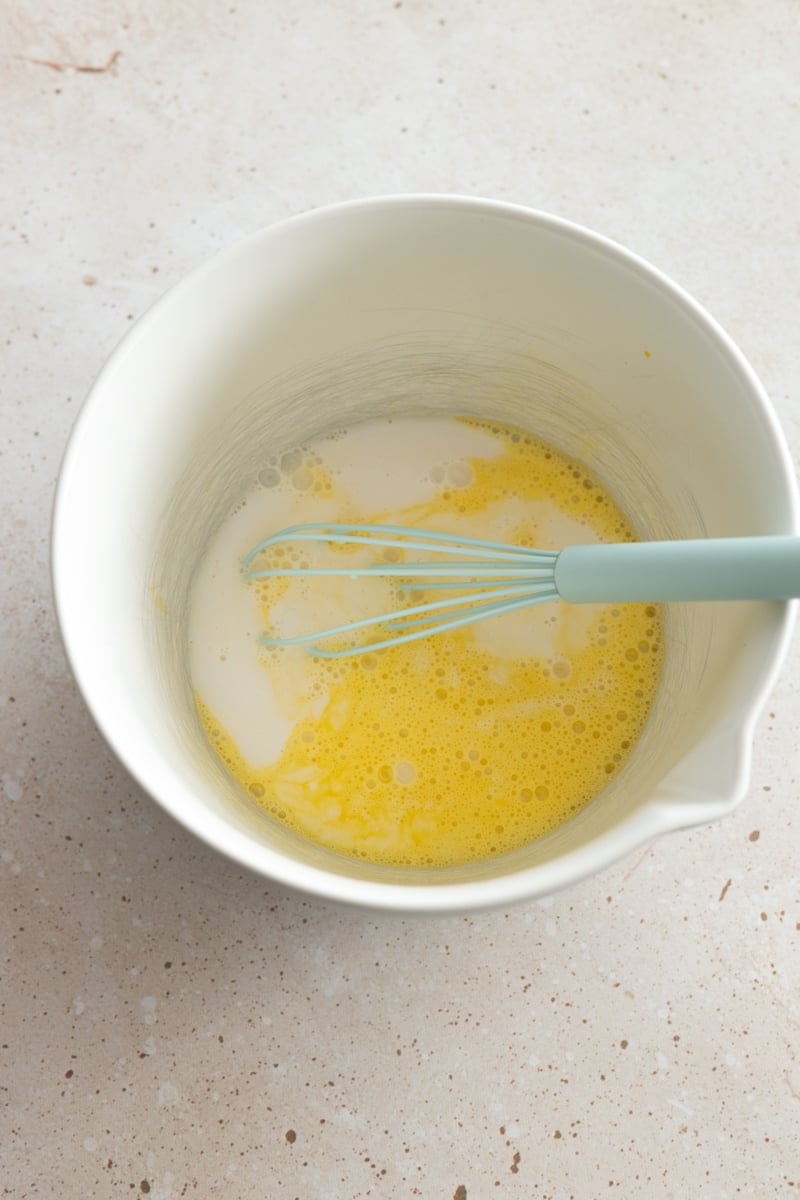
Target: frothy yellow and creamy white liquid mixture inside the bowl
{"points": [[448, 751]]}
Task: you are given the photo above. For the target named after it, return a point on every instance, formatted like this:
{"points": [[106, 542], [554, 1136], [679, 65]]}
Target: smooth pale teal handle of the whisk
{"points": [[706, 569]]}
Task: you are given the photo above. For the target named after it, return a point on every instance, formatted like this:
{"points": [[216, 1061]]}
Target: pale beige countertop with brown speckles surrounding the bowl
{"points": [[172, 1027]]}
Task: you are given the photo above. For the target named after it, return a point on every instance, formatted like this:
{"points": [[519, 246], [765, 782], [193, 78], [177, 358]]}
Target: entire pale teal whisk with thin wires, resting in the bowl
{"points": [[488, 579]]}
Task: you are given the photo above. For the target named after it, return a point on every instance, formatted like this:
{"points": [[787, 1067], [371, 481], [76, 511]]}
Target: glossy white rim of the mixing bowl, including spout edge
{"points": [[436, 898]]}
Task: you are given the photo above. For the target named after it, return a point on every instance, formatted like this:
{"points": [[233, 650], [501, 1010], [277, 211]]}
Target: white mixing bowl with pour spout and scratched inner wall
{"points": [[410, 304]]}
